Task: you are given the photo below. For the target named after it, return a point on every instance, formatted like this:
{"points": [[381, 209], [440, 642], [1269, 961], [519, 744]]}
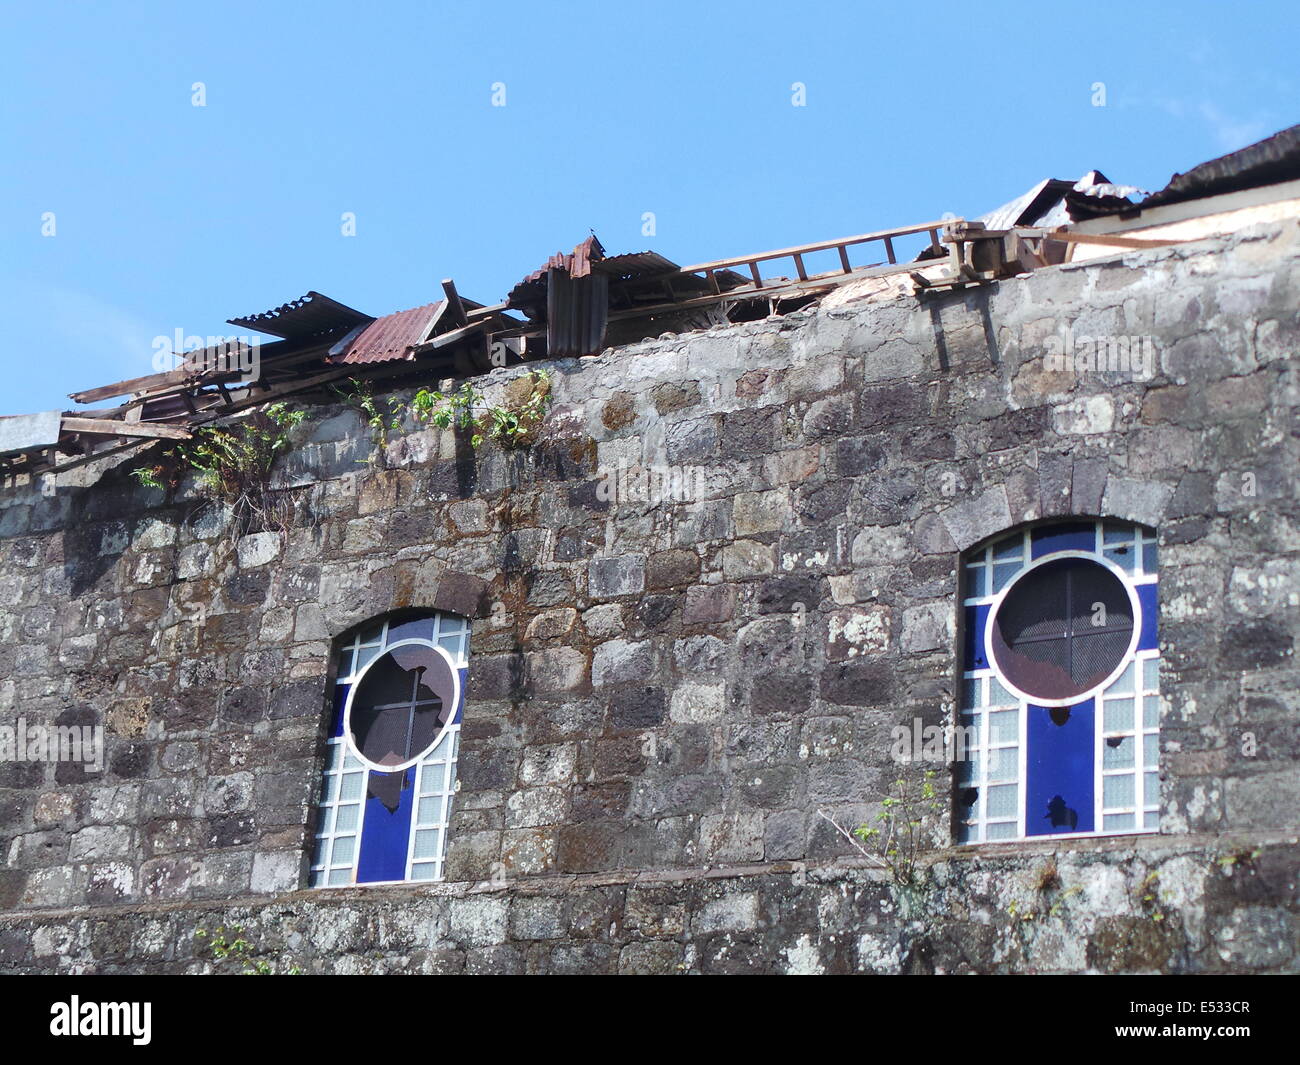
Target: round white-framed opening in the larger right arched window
{"points": [[1063, 630]]}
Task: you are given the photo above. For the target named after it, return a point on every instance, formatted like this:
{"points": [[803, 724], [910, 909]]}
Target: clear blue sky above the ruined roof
{"points": [[172, 217]]}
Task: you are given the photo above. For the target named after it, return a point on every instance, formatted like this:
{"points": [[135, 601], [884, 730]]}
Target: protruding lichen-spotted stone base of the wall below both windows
{"points": [[1138, 906]]}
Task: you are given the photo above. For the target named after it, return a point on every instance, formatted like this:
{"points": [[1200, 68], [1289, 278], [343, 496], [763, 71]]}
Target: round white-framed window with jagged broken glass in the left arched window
{"points": [[401, 704]]}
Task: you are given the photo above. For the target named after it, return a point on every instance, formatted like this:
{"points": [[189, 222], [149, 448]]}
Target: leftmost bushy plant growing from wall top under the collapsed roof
{"points": [[233, 464]]}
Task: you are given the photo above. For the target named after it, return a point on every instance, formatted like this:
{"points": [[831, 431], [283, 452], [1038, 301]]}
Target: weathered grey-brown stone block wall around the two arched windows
{"points": [[661, 689]]}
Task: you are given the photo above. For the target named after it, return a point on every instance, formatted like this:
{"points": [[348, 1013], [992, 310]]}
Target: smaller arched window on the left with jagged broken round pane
{"points": [[391, 770]]}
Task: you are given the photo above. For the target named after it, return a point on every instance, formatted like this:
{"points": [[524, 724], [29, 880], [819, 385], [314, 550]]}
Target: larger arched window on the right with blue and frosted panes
{"points": [[1060, 708]]}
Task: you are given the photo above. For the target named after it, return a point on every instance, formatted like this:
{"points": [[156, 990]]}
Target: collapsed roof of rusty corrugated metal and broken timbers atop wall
{"points": [[580, 302]]}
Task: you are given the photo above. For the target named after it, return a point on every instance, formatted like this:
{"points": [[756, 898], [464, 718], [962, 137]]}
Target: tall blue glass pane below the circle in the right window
{"points": [[1060, 770]]}
